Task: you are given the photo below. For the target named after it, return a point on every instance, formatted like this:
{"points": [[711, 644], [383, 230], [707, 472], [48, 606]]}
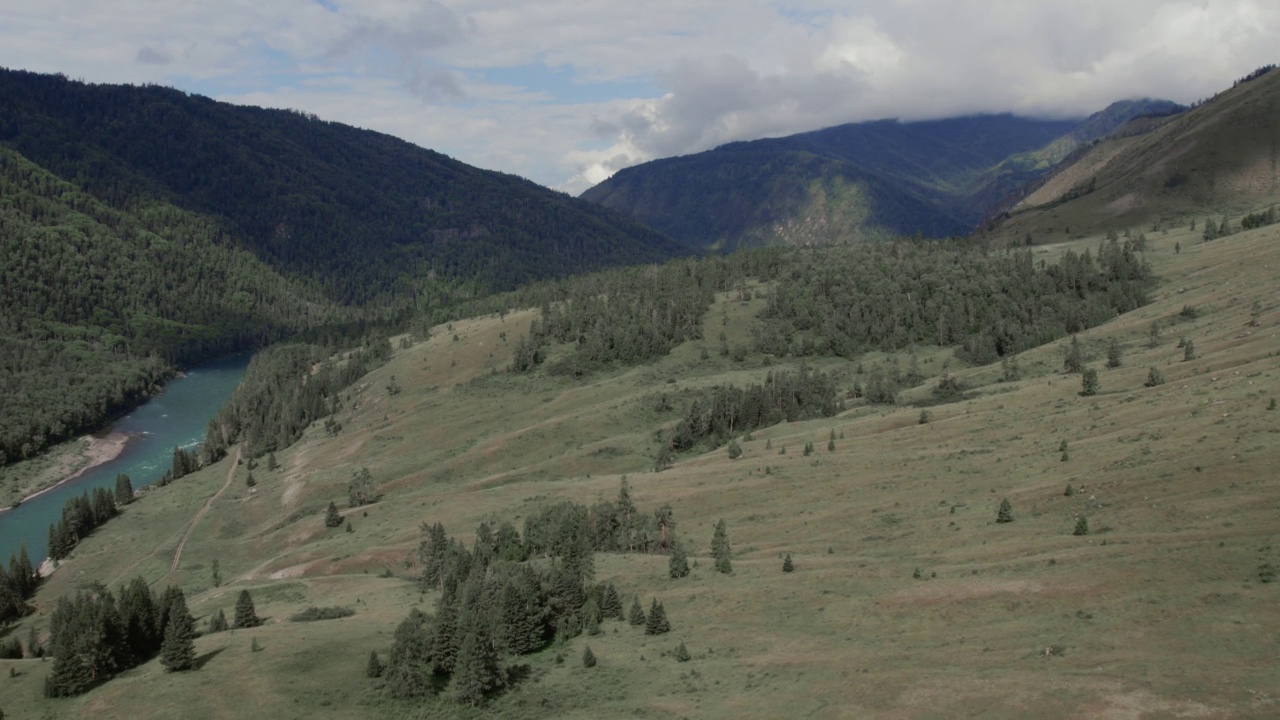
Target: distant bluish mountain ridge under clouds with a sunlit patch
{"points": [[854, 181]]}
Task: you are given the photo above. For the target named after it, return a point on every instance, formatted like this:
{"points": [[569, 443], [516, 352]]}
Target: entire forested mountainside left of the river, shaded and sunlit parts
{"points": [[144, 230]]}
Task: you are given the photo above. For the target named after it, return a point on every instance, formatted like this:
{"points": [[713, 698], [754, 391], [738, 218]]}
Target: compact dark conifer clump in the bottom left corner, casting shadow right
{"points": [[97, 635]]}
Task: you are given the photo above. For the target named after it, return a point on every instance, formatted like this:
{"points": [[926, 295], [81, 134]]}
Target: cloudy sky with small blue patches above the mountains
{"points": [[566, 93]]}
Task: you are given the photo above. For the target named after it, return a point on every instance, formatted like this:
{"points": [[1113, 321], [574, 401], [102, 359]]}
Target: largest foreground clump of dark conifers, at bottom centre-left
{"points": [[497, 603]]}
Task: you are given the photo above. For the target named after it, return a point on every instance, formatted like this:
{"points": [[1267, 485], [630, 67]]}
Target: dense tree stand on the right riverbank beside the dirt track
{"points": [[286, 389]]}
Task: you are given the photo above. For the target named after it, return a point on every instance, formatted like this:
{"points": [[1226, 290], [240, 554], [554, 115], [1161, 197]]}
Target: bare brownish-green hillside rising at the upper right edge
{"points": [[1218, 160]]}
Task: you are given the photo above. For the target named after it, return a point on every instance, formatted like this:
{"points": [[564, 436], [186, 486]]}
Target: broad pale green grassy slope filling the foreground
{"points": [[1159, 612]]}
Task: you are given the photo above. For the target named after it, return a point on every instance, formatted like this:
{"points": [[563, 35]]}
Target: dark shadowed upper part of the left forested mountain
{"points": [[362, 213]]}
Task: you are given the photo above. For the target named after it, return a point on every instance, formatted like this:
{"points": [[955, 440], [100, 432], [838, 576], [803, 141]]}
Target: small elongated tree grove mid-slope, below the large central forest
{"points": [[725, 412]]}
